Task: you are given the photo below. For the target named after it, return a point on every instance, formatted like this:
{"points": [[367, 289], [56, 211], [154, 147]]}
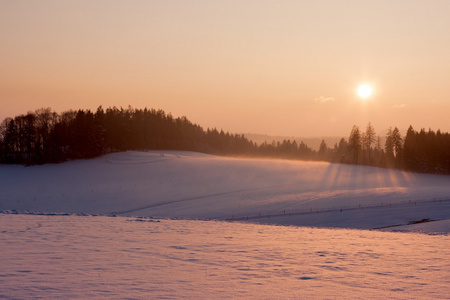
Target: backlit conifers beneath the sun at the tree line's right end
{"points": [[419, 151]]}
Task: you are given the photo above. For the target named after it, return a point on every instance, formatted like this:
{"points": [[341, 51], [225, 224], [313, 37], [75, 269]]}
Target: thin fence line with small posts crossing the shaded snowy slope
{"points": [[287, 213]]}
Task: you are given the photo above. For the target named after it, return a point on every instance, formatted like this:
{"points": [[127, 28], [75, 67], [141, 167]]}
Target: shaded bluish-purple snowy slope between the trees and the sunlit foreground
{"points": [[174, 184]]}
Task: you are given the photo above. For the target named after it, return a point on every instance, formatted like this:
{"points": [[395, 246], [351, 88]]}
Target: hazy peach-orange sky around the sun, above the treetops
{"points": [[270, 67]]}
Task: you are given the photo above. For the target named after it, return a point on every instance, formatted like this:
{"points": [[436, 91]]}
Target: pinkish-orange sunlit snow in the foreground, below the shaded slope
{"points": [[89, 257]]}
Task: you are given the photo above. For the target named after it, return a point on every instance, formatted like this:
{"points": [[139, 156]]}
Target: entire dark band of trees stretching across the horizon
{"points": [[44, 136]]}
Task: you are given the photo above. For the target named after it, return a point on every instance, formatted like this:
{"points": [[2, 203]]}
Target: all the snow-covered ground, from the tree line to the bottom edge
{"points": [[48, 250]]}
